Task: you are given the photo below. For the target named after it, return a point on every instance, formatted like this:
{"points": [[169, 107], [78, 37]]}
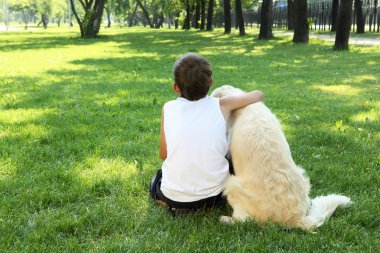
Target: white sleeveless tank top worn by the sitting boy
{"points": [[195, 133]]}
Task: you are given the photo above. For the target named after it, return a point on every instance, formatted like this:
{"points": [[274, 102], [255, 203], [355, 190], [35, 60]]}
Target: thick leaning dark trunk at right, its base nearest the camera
{"points": [[343, 25]]}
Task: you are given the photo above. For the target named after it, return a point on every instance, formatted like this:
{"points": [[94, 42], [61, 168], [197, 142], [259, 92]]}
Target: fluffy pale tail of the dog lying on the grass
{"points": [[322, 208]]}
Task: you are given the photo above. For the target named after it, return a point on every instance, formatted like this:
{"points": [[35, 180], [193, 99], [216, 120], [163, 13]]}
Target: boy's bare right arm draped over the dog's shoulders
{"points": [[233, 102]]}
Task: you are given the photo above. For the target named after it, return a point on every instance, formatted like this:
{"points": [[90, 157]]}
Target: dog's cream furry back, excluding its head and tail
{"points": [[262, 161]]}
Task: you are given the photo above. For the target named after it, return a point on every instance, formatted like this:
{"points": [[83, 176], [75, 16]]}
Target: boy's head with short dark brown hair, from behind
{"points": [[192, 75]]}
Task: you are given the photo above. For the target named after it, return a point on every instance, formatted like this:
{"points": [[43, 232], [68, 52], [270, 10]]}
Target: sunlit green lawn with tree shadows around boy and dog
{"points": [[79, 137]]}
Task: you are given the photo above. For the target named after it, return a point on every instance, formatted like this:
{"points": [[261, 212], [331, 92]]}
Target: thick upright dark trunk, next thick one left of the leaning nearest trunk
{"points": [[301, 26]]}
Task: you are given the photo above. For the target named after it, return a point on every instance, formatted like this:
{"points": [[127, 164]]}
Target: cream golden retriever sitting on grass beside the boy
{"points": [[267, 184]]}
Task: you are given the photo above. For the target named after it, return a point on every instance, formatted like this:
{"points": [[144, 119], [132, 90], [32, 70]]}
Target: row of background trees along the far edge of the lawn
{"points": [[197, 14]]}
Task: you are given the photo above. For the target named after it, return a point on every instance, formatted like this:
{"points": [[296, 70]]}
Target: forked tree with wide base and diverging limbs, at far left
{"points": [[89, 23]]}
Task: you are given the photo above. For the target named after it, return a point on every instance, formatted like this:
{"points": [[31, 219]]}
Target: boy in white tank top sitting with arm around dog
{"points": [[193, 142]]}
